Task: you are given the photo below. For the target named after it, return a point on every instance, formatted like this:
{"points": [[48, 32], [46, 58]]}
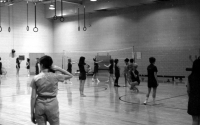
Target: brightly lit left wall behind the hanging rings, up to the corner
{"points": [[23, 41]]}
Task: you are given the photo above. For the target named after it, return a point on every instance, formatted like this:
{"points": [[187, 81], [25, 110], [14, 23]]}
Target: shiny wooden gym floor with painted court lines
{"points": [[104, 104]]}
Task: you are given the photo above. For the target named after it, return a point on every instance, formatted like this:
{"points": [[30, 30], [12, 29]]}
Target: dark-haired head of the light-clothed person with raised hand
{"points": [[46, 62]]}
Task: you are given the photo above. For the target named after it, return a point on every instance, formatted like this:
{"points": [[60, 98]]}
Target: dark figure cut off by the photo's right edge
{"points": [[193, 89]]}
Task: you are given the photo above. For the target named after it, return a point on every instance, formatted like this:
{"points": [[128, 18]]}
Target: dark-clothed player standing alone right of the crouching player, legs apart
{"points": [[152, 79]]}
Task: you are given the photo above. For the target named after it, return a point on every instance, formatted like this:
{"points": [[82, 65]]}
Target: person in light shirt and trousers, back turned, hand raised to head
{"points": [[44, 103]]}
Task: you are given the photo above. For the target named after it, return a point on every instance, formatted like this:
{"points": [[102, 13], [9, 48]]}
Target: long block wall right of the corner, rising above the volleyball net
{"points": [[167, 31]]}
